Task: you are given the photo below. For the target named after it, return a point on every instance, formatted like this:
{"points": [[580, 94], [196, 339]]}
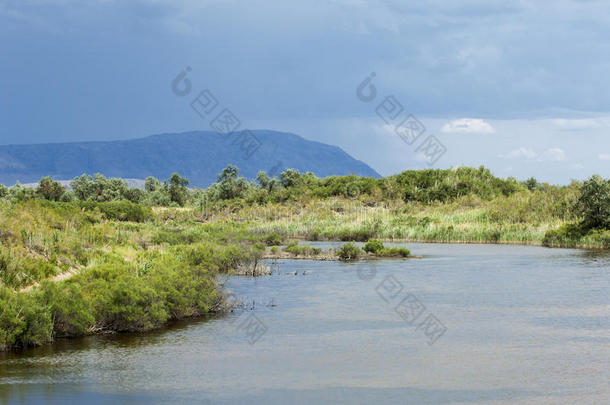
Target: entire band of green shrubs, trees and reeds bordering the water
{"points": [[102, 257]]}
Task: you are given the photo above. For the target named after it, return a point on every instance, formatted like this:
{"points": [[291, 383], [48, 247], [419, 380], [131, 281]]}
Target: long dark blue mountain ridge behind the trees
{"points": [[198, 156]]}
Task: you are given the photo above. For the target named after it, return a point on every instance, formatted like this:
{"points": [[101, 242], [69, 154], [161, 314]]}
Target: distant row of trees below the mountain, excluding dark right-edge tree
{"points": [[422, 186]]}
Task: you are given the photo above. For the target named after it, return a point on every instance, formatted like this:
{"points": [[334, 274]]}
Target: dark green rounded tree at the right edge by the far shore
{"points": [[594, 203]]}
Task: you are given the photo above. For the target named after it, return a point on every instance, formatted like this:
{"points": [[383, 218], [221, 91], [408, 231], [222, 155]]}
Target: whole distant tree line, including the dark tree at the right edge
{"points": [[432, 186]]}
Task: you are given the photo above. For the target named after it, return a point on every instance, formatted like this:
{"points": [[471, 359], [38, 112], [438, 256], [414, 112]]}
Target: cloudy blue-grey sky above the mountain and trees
{"points": [[521, 87]]}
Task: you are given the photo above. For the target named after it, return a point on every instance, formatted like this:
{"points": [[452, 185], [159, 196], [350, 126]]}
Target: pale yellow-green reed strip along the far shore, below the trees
{"points": [[522, 218]]}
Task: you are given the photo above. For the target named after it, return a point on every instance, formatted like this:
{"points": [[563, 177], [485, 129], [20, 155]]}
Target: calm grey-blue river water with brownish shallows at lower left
{"points": [[511, 325]]}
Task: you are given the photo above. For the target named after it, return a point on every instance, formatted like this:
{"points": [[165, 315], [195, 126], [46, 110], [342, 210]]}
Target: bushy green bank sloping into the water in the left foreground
{"points": [[120, 275]]}
